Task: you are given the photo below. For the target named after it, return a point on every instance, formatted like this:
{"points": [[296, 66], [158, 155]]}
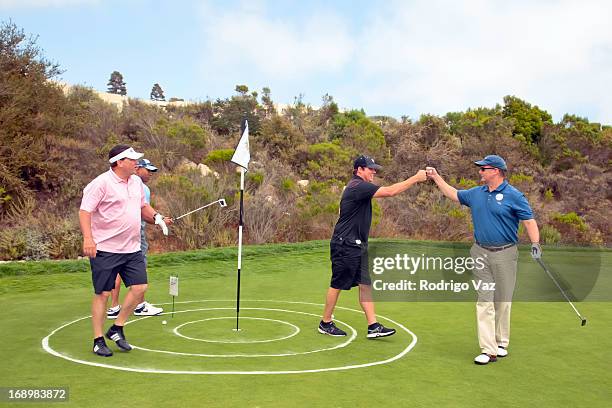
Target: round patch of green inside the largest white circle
{"points": [[283, 344]]}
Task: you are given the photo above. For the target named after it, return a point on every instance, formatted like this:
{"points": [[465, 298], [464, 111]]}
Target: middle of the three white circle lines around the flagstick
{"points": [[179, 353]]}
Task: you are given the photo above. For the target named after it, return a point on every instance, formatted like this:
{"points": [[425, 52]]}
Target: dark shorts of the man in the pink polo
{"points": [[106, 265]]}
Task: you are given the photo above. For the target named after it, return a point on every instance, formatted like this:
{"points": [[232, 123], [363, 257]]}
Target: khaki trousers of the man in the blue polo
{"points": [[493, 307]]}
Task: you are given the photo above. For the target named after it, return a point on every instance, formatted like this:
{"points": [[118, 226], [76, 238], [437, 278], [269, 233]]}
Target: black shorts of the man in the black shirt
{"points": [[349, 265]]}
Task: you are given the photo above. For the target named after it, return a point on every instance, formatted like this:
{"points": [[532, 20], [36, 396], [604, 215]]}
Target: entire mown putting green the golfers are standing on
{"points": [[551, 356]]}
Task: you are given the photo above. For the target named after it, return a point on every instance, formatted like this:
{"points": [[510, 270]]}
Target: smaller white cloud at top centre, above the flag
{"points": [[276, 47]]}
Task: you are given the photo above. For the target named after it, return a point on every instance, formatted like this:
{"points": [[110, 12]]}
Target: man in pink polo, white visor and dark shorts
{"points": [[110, 214]]}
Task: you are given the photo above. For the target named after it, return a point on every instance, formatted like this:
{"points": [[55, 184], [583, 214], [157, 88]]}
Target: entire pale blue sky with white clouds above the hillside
{"points": [[388, 57]]}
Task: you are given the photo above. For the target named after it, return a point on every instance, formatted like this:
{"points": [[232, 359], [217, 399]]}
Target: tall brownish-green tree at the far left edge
{"points": [[28, 105]]}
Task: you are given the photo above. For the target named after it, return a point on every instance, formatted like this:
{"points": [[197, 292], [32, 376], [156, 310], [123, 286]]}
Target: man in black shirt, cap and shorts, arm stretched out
{"points": [[349, 244]]}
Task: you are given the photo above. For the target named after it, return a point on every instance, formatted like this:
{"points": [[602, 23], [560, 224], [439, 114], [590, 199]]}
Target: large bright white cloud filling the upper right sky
{"points": [[445, 56]]}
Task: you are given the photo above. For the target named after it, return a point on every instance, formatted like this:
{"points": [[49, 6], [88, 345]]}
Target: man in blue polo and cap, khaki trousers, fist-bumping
{"points": [[497, 207]]}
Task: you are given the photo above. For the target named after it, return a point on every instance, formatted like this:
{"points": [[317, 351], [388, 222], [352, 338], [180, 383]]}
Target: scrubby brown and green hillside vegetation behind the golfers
{"points": [[53, 142]]}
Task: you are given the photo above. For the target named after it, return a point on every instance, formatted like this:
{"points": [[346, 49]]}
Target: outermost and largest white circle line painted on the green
{"points": [[48, 349]]}
